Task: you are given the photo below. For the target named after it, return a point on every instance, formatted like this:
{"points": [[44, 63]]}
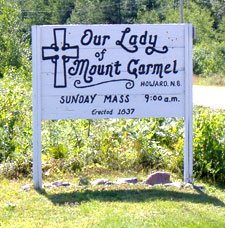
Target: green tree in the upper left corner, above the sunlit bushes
{"points": [[14, 45]]}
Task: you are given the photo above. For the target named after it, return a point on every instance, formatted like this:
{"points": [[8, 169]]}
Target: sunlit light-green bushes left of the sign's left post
{"points": [[15, 123]]}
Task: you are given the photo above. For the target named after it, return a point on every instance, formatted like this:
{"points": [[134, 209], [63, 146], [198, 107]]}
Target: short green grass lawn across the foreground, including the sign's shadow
{"points": [[118, 206]]}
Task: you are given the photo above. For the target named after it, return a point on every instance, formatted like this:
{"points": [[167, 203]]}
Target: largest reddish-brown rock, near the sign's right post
{"points": [[158, 178]]}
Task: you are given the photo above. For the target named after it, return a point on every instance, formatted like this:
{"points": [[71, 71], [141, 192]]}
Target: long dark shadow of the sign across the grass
{"points": [[144, 195]]}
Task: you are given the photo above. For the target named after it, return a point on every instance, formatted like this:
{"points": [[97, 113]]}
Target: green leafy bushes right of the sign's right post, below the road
{"points": [[209, 144]]}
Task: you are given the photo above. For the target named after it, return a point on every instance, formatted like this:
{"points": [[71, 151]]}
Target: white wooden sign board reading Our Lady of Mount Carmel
{"points": [[110, 71]]}
